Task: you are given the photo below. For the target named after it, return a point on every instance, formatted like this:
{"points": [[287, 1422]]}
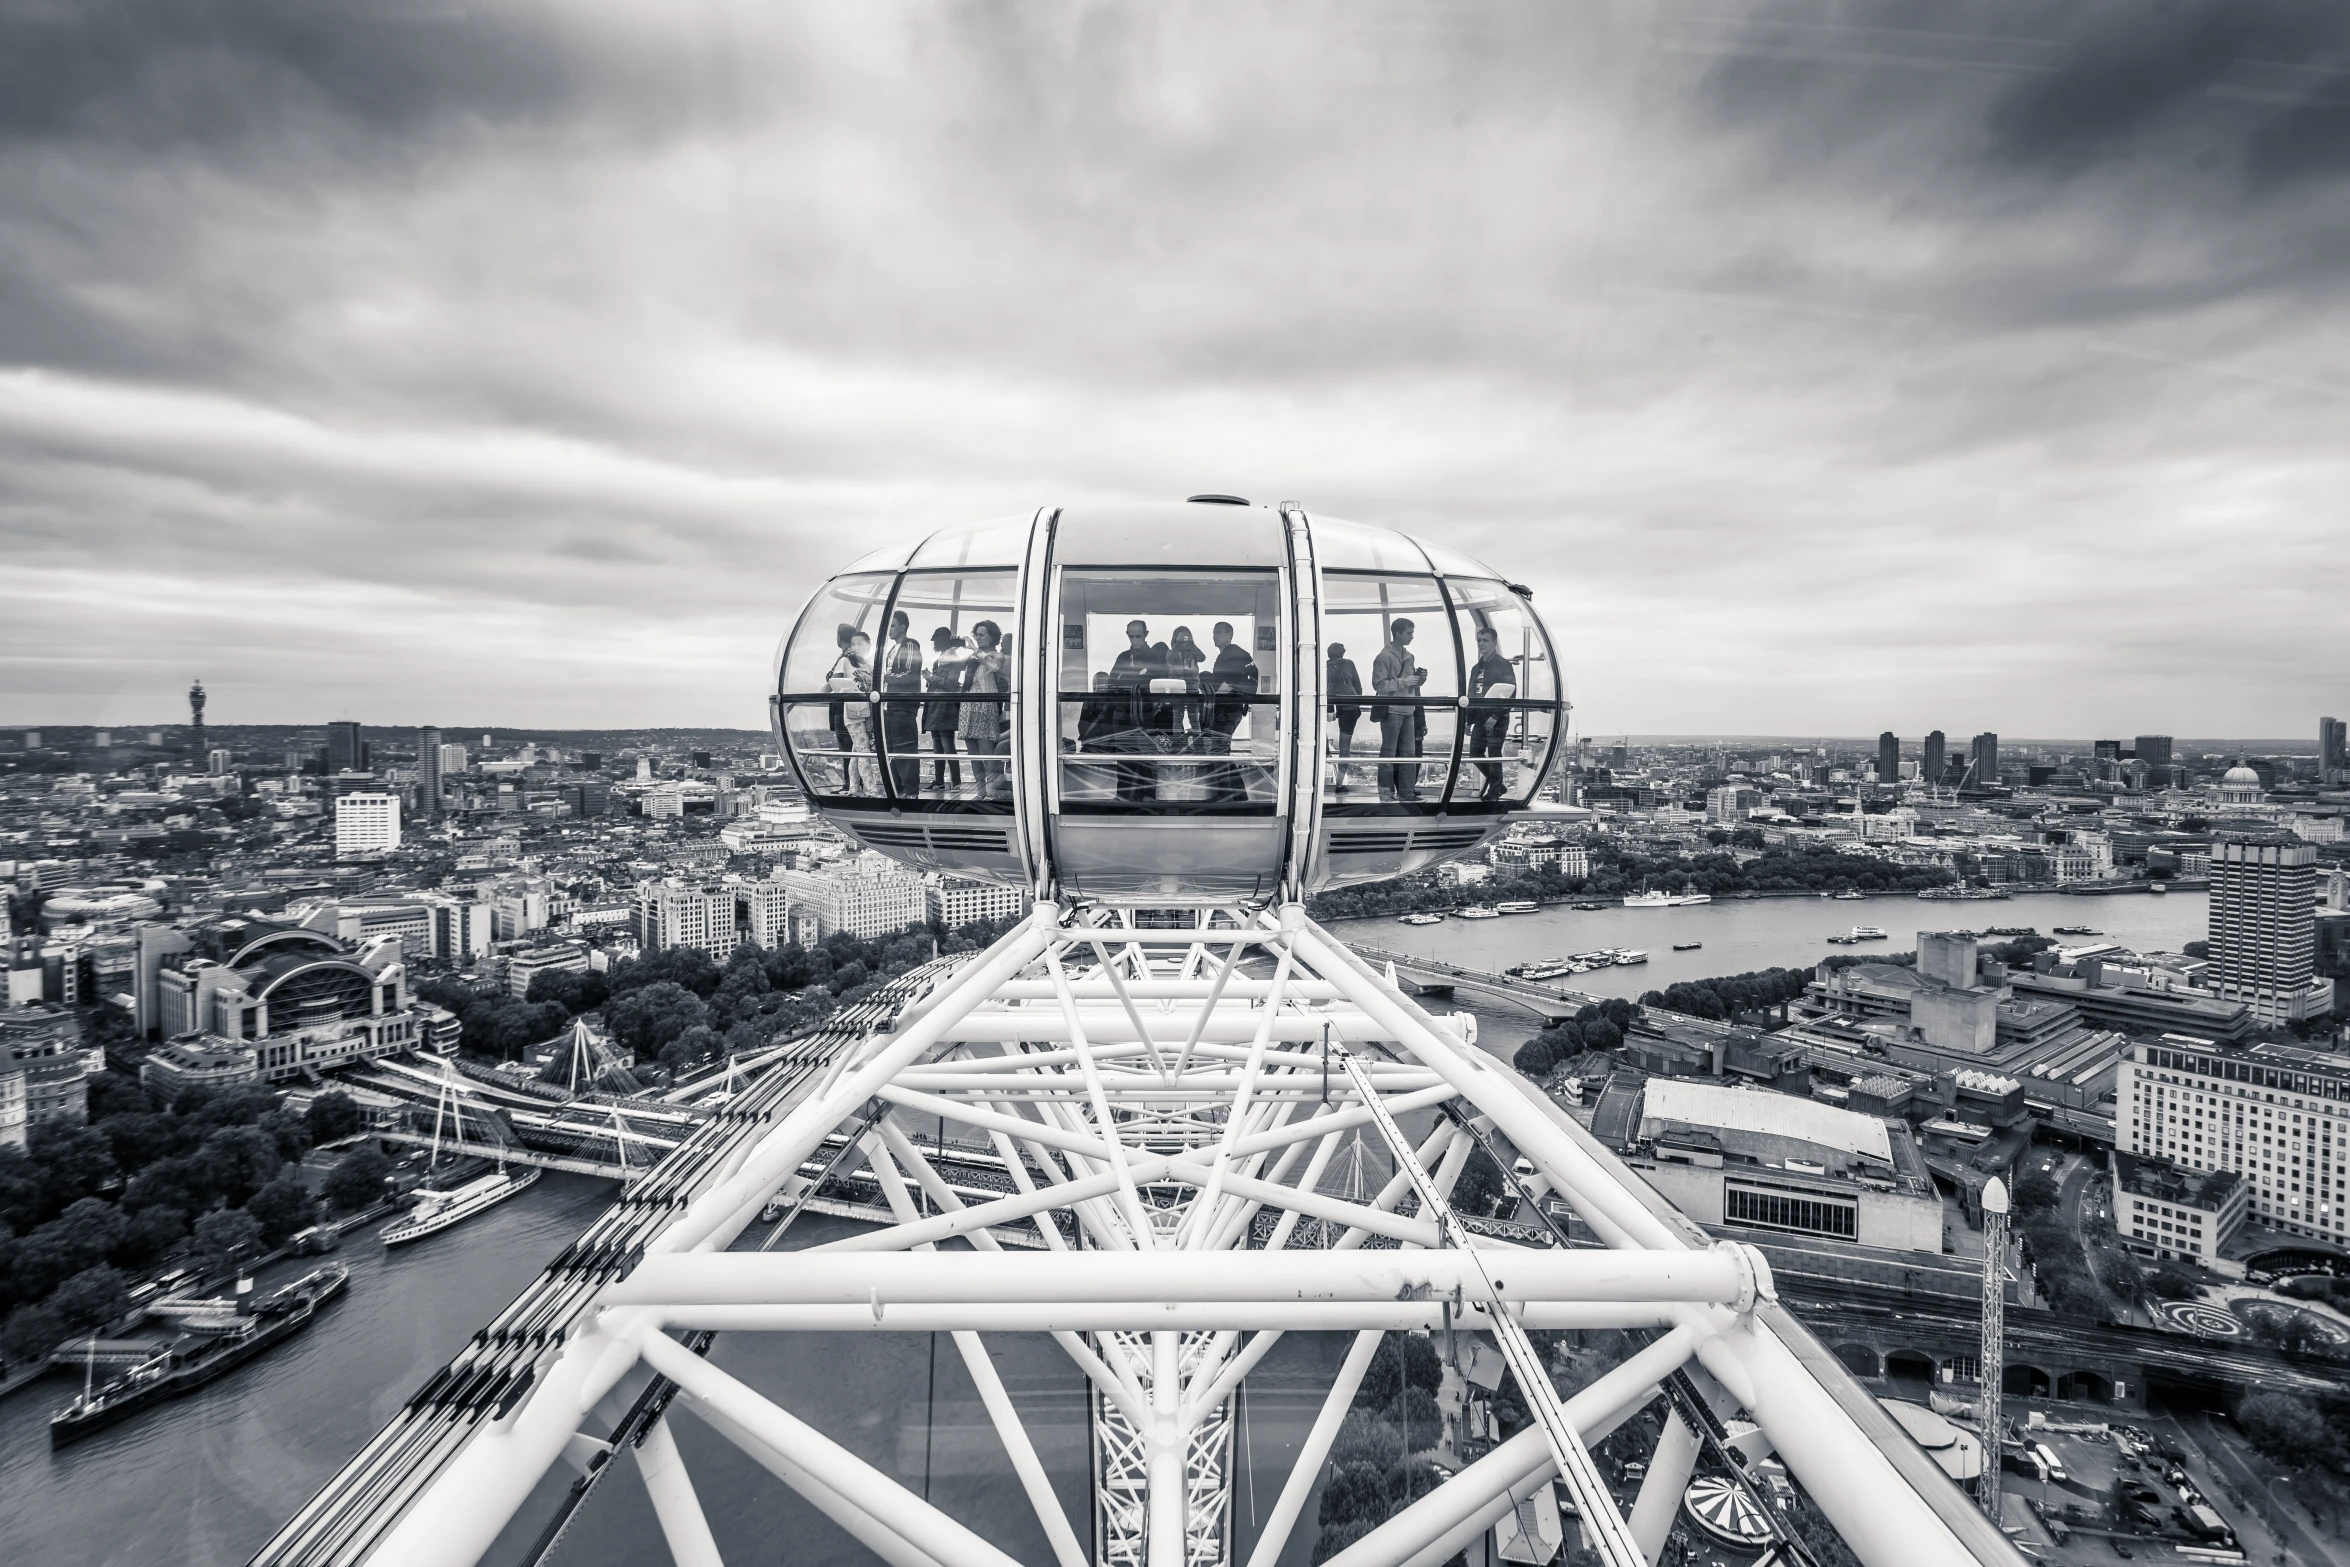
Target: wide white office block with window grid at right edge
{"points": [[2274, 1115]]}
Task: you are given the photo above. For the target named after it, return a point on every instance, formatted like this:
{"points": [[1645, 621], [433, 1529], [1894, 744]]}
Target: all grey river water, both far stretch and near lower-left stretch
{"points": [[208, 1479]]}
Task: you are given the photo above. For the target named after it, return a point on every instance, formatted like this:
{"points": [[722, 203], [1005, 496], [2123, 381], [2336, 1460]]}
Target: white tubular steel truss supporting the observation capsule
{"points": [[1162, 1112]]}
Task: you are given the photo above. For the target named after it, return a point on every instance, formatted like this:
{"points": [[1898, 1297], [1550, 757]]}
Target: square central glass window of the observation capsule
{"points": [[1169, 692]]}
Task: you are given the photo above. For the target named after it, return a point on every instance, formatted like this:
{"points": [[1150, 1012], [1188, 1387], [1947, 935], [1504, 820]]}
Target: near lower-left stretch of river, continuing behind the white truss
{"points": [[203, 1481]]}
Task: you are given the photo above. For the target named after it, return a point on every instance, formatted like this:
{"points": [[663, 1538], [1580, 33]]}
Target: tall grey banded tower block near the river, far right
{"points": [[2264, 948]]}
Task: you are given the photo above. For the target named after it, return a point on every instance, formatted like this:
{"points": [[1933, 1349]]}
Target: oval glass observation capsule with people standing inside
{"points": [[1186, 704]]}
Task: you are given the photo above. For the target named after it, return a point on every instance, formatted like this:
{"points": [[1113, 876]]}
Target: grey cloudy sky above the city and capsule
{"points": [[1825, 368]]}
